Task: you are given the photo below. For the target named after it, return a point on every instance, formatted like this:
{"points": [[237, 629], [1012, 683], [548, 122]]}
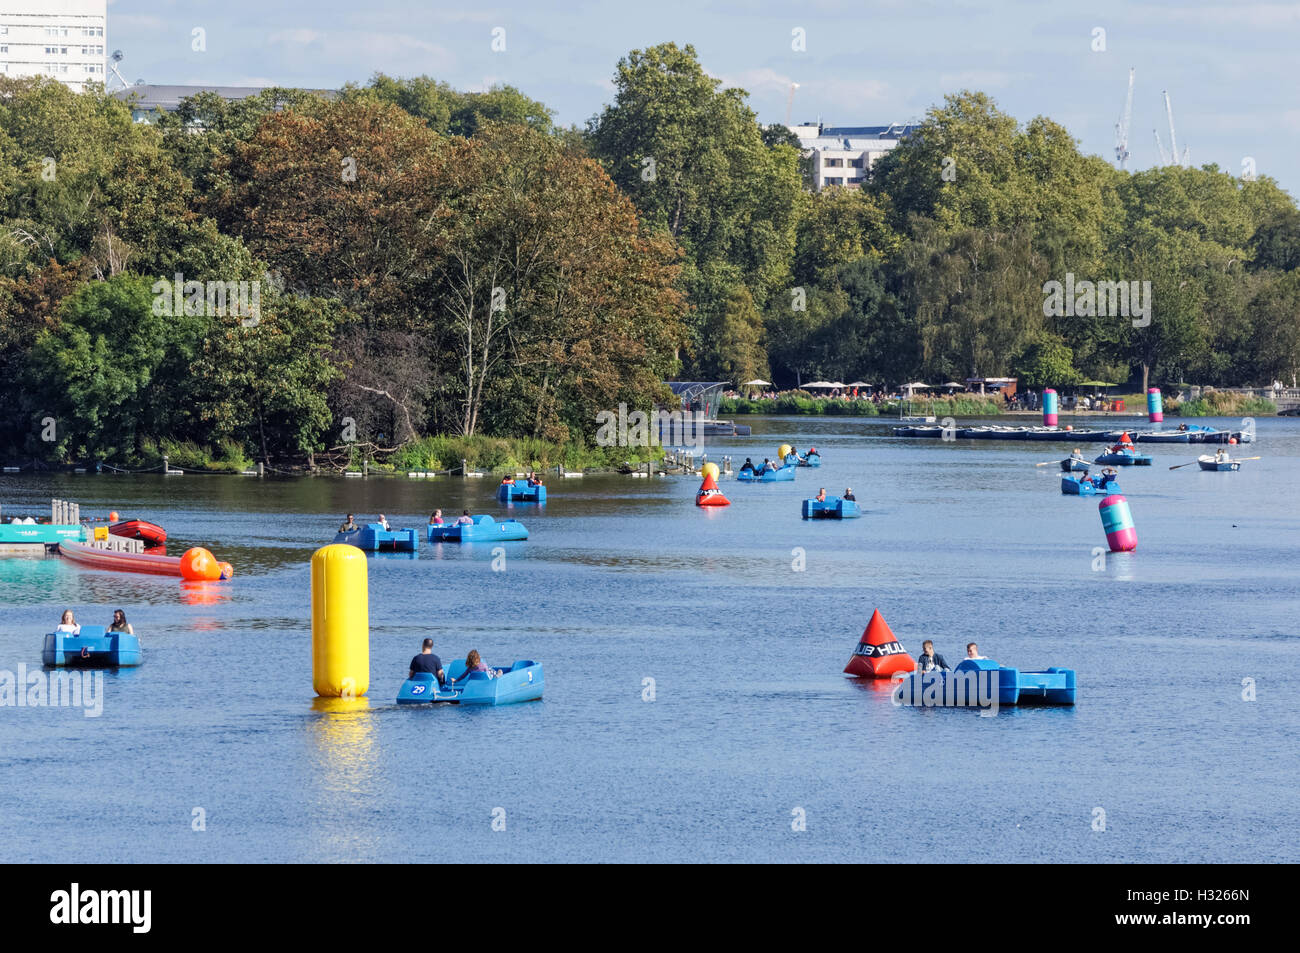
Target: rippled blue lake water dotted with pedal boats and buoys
{"points": [[752, 724]]}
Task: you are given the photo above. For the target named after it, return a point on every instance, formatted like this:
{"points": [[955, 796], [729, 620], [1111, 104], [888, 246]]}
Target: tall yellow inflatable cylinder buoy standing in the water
{"points": [[341, 622]]}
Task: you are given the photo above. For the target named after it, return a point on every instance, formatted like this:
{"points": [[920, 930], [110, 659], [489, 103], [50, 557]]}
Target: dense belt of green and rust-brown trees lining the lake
{"points": [[417, 265]]}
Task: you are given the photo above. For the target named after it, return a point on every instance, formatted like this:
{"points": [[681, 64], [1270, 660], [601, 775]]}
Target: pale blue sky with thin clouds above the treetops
{"points": [[1230, 68]]}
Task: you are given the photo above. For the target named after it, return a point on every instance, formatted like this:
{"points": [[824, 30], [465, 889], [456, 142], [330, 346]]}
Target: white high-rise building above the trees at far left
{"points": [[64, 40]]}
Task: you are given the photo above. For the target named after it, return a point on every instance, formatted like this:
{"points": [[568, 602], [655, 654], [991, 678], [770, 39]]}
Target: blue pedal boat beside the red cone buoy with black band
{"points": [[963, 686]]}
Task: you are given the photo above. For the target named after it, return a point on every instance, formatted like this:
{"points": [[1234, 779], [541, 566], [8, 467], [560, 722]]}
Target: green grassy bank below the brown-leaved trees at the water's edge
{"points": [[512, 454]]}
